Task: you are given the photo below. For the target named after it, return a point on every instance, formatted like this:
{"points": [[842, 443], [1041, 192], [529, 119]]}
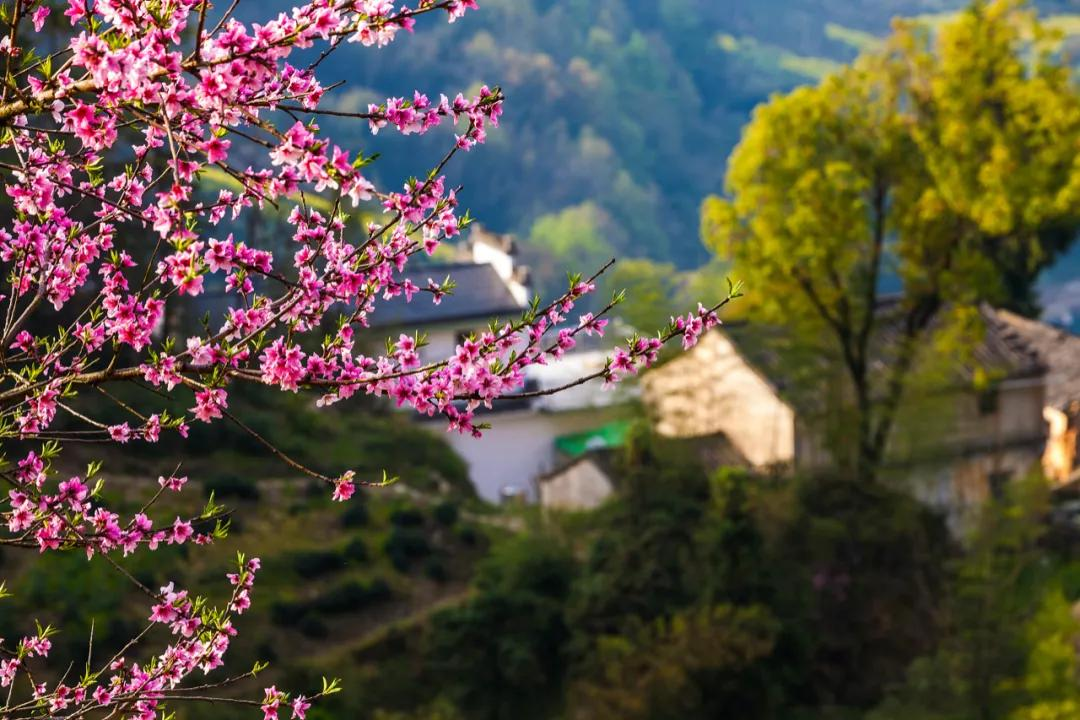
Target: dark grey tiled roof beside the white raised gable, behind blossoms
{"points": [[480, 295]]}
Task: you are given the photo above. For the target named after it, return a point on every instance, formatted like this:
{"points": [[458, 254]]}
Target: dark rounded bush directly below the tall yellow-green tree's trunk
{"points": [[859, 575]]}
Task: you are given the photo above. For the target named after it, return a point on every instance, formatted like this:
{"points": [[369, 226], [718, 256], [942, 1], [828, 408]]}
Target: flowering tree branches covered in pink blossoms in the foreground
{"points": [[104, 148]]}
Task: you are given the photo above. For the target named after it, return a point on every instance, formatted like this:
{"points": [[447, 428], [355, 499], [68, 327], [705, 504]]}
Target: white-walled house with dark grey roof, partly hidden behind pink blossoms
{"points": [[529, 438]]}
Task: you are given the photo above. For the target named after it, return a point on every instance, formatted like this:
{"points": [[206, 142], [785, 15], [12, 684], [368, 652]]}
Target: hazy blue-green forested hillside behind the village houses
{"points": [[622, 114]]}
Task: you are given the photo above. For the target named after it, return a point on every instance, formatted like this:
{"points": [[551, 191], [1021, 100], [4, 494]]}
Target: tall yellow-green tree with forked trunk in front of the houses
{"points": [[946, 164]]}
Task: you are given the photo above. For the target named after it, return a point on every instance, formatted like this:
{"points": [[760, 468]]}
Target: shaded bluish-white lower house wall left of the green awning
{"points": [[520, 447]]}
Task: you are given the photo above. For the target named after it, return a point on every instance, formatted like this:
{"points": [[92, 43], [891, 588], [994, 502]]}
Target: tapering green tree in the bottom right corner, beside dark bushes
{"points": [[1001, 646]]}
